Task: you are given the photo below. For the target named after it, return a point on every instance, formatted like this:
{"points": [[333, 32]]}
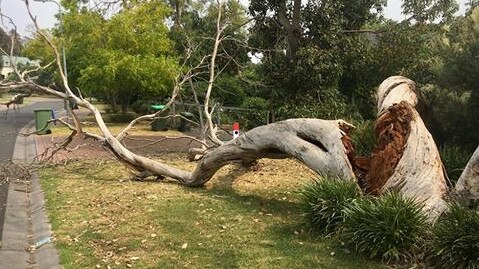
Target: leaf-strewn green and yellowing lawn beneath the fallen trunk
{"points": [[242, 219]]}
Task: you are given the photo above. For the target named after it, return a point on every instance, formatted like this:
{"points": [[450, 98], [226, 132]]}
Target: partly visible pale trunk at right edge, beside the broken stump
{"points": [[467, 187]]}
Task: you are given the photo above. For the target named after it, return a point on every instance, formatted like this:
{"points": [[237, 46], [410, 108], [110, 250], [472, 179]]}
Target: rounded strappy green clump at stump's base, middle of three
{"points": [[390, 227]]}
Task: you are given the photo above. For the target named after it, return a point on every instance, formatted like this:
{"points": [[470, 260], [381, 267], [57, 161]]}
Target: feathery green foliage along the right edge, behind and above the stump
{"points": [[458, 72]]}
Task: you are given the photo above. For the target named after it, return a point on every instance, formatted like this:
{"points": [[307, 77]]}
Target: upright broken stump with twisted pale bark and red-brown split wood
{"points": [[419, 172]]}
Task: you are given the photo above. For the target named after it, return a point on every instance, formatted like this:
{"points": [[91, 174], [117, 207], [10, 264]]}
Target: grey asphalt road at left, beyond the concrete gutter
{"points": [[9, 128]]}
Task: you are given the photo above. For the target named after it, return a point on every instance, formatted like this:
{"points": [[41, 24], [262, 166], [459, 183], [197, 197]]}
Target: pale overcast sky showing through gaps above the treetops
{"points": [[45, 13]]}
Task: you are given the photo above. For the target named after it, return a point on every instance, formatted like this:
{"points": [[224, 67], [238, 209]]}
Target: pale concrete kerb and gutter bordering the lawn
{"points": [[26, 239]]}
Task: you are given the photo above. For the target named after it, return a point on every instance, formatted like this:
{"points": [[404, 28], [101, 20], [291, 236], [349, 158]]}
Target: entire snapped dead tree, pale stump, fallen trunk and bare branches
{"points": [[405, 158]]}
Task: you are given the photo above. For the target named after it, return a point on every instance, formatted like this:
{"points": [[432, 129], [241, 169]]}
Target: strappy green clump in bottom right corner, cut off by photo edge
{"points": [[455, 242]]}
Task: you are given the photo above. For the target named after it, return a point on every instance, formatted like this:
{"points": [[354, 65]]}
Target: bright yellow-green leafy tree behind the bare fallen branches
{"points": [[129, 55]]}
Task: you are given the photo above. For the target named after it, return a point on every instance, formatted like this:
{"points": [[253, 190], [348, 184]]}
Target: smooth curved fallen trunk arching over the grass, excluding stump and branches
{"points": [[316, 143]]}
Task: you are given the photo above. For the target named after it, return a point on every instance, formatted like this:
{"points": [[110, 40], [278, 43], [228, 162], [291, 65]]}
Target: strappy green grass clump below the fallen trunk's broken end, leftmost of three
{"points": [[324, 201]]}
